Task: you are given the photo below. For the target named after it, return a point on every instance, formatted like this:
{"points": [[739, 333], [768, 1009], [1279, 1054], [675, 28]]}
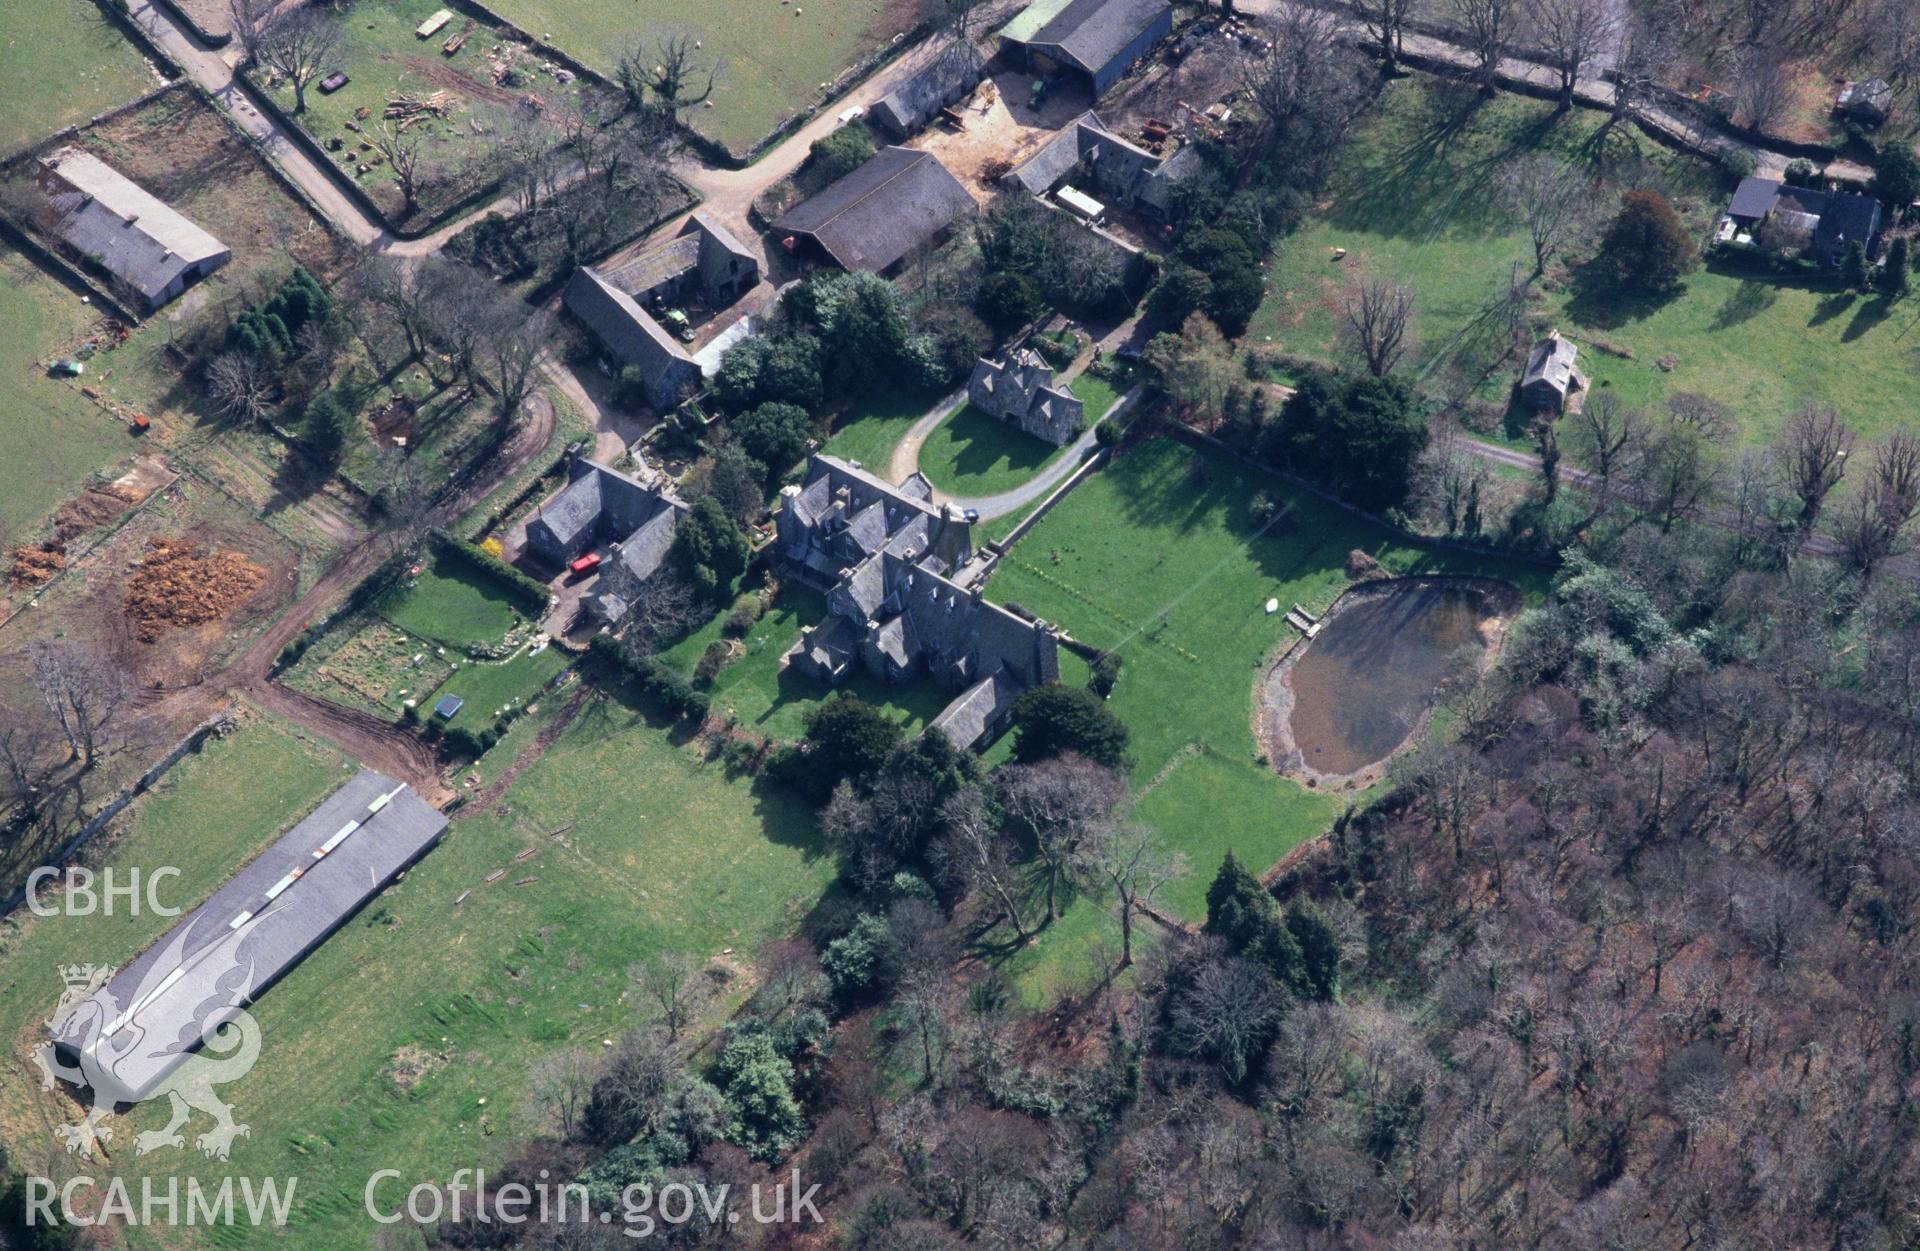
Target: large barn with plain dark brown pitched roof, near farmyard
{"points": [[896, 204]]}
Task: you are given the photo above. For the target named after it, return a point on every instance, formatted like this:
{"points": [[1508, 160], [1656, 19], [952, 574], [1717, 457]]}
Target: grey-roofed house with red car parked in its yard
{"points": [[602, 506]]}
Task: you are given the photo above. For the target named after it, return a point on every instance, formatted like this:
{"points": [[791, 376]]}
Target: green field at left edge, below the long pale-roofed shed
{"points": [[51, 437]]}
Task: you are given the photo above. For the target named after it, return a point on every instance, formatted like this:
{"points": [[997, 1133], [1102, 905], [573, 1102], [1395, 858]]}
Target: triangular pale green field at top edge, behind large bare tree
{"points": [[775, 55]]}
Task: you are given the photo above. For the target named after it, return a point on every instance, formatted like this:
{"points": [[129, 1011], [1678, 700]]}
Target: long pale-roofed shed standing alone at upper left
{"points": [[112, 222]]}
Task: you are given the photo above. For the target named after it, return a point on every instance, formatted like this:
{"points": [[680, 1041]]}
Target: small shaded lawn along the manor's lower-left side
{"points": [[775, 703]]}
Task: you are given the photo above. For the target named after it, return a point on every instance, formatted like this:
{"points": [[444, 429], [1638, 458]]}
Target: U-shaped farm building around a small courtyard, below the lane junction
{"points": [[623, 308]]}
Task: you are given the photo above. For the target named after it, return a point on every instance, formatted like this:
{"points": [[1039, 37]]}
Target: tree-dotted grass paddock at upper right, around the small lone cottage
{"points": [[1412, 201]]}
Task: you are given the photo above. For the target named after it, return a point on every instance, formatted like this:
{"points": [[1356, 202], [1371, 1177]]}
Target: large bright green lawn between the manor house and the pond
{"points": [[1157, 559]]}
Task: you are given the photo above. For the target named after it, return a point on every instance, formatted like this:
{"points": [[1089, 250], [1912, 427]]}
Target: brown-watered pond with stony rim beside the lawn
{"points": [[1358, 692]]}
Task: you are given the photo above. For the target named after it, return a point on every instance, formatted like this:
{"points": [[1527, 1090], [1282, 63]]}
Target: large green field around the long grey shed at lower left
{"points": [[661, 851]]}
